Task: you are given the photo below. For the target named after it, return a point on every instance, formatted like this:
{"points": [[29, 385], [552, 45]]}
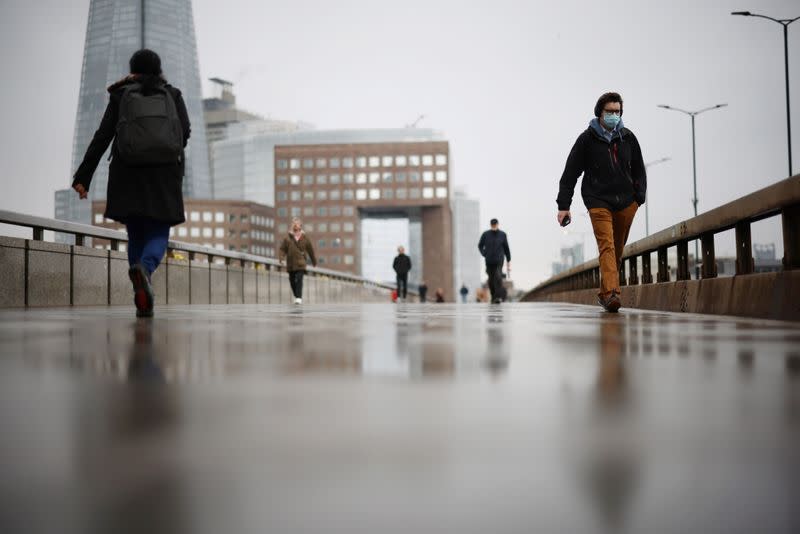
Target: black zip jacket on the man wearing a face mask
{"points": [[613, 172]]}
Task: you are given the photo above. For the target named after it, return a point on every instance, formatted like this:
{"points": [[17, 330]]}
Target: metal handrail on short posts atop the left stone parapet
{"points": [[115, 237]]}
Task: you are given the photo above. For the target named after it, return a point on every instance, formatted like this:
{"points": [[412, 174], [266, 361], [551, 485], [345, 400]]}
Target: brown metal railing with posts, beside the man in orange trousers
{"points": [[782, 198]]}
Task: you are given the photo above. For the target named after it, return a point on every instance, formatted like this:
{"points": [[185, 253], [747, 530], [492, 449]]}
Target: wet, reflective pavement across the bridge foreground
{"points": [[409, 418]]}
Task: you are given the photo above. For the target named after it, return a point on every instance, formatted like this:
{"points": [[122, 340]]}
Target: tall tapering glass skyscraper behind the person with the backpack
{"points": [[116, 29]]}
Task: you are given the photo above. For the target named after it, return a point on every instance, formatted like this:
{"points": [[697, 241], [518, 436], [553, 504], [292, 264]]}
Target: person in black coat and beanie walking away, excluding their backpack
{"points": [[146, 199]]}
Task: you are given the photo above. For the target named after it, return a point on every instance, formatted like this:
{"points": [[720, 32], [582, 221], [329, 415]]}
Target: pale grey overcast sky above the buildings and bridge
{"points": [[511, 83]]}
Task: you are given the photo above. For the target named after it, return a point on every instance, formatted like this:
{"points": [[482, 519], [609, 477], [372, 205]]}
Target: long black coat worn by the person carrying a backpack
{"points": [[153, 192]]}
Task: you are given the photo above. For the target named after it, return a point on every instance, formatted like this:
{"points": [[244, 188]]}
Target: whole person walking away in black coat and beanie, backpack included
{"points": [[147, 121]]}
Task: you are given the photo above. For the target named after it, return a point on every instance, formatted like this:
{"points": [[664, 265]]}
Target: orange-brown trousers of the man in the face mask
{"points": [[611, 229]]}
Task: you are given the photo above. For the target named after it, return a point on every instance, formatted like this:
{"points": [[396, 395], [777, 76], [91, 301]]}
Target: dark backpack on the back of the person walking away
{"points": [[149, 131]]}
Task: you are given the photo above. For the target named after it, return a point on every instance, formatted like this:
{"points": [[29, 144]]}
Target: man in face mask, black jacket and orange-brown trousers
{"points": [[614, 186]]}
